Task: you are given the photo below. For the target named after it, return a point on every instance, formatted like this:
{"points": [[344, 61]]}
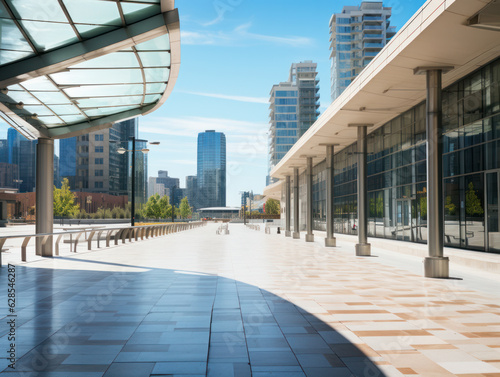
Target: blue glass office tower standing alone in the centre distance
{"points": [[211, 169]]}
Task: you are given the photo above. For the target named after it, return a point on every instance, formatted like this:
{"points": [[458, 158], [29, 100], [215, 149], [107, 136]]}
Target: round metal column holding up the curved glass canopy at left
{"points": [[44, 194]]}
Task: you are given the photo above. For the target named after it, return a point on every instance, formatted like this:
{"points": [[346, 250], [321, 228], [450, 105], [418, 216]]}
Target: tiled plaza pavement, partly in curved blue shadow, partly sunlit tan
{"points": [[245, 304]]}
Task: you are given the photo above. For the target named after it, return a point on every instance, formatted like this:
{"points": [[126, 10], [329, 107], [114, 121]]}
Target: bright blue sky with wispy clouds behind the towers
{"points": [[233, 52]]}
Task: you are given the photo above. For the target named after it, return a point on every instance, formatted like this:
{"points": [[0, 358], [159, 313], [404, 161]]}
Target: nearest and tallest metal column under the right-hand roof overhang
{"points": [[435, 265]]}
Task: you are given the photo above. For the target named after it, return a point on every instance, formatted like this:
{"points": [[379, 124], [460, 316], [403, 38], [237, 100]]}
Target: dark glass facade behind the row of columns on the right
{"points": [[397, 171]]}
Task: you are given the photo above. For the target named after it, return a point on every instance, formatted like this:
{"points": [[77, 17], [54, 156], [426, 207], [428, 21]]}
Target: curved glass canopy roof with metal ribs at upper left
{"points": [[69, 67]]}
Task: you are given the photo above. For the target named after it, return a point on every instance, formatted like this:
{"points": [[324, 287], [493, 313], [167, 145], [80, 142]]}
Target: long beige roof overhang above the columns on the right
{"points": [[438, 35]]}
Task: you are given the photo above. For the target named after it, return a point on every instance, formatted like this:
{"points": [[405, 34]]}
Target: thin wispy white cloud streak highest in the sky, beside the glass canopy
{"points": [[238, 35]]}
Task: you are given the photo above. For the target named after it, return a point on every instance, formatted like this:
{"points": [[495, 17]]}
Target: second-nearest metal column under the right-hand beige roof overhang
{"points": [[363, 248]]}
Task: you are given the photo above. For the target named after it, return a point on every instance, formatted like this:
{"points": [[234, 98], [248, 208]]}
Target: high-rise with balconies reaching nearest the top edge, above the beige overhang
{"points": [[357, 34]]}
